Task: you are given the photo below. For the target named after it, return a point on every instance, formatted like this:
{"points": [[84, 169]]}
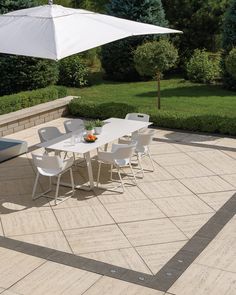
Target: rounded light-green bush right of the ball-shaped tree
{"points": [[203, 68]]}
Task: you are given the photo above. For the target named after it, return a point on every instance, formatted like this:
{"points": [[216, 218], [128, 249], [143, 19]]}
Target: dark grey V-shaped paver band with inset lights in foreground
{"points": [[163, 280]]}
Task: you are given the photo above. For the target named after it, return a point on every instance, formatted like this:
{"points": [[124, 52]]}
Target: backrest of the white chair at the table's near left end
{"points": [[47, 162]]}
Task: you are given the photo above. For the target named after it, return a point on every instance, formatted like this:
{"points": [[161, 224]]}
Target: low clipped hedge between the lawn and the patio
{"points": [[175, 120]]}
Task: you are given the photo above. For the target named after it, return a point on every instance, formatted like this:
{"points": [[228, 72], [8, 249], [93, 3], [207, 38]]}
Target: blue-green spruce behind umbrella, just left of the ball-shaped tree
{"points": [[117, 57]]}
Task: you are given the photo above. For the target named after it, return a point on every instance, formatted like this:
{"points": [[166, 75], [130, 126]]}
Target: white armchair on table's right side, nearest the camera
{"points": [[119, 157]]}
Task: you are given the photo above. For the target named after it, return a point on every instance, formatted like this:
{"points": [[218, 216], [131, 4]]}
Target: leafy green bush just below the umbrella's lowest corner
{"points": [[73, 72]]}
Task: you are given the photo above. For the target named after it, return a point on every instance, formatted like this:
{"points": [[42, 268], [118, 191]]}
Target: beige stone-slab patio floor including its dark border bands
{"points": [[175, 233]]}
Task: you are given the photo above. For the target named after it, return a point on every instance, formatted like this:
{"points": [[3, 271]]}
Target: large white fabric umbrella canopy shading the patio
{"points": [[54, 32]]}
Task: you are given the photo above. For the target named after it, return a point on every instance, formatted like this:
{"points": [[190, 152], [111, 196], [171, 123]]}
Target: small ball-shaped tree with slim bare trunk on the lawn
{"points": [[153, 59]]}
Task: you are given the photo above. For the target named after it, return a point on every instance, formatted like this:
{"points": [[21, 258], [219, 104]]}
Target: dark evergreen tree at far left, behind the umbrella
{"points": [[24, 73]]}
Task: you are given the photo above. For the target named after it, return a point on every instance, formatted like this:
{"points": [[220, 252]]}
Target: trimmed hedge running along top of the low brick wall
{"points": [[15, 102]]}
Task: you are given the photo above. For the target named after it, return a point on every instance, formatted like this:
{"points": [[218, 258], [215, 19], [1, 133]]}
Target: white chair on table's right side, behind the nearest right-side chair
{"points": [[143, 140]]}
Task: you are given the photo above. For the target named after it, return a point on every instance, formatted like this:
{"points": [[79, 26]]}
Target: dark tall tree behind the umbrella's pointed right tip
{"points": [[199, 18]]}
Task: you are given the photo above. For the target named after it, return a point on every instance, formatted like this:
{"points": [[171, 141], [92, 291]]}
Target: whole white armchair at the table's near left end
{"points": [[52, 166]]}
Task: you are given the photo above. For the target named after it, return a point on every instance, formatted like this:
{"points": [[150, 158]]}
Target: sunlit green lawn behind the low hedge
{"points": [[178, 95]]}
